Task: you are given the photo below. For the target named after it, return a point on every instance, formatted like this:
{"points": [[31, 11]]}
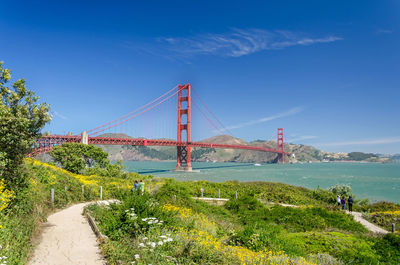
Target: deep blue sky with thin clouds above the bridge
{"points": [[327, 72]]}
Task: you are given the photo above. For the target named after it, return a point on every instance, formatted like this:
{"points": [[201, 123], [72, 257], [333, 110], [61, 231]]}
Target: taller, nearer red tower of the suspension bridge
{"points": [[184, 114]]}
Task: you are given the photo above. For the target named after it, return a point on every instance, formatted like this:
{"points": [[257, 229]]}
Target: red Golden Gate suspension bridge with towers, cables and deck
{"points": [[112, 133]]}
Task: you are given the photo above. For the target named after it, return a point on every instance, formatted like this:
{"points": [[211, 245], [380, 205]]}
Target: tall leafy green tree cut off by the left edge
{"points": [[21, 120]]}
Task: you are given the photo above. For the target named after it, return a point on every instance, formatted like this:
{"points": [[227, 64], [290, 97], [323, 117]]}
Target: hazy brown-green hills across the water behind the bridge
{"points": [[303, 153]]}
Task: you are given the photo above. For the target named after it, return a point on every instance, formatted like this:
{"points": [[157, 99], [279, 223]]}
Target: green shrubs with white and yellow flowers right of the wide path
{"points": [[244, 223]]}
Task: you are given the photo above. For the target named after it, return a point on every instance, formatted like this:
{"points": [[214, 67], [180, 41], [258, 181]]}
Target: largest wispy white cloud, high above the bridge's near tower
{"points": [[240, 42]]}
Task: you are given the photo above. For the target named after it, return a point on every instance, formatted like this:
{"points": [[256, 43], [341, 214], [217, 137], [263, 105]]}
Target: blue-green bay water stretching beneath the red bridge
{"points": [[368, 180]]}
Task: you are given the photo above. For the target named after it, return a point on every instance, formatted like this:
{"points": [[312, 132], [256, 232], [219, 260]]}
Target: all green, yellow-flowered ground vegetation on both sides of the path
{"points": [[156, 228]]}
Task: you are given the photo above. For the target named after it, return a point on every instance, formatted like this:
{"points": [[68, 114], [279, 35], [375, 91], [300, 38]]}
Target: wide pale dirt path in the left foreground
{"points": [[67, 239]]}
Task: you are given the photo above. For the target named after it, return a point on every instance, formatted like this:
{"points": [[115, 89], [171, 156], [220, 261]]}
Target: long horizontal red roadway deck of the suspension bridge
{"points": [[47, 142]]}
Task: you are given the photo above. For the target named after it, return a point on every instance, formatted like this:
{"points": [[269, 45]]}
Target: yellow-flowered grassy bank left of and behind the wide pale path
{"points": [[21, 219]]}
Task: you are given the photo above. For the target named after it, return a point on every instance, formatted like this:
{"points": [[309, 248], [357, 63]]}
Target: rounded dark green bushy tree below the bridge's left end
{"points": [[75, 157]]}
